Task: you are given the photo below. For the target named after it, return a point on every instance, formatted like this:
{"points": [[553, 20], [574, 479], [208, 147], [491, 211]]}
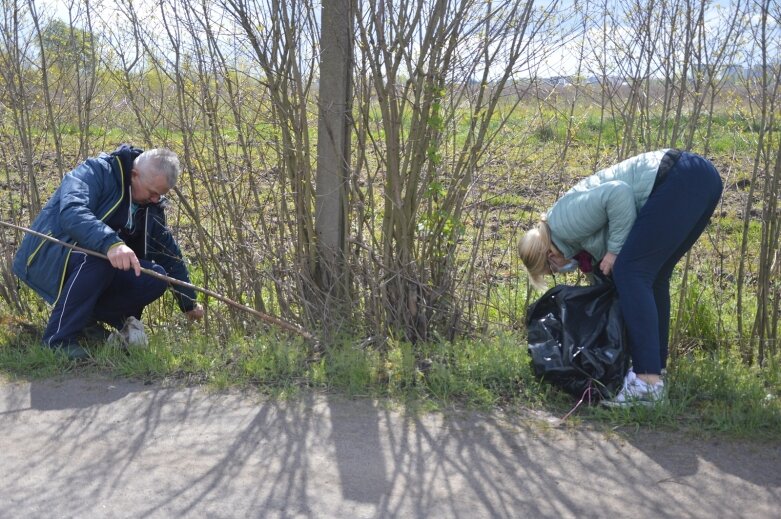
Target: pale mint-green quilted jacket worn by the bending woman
{"points": [[597, 214]]}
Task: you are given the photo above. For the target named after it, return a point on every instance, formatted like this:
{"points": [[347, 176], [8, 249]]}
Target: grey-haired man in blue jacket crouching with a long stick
{"points": [[111, 204]]}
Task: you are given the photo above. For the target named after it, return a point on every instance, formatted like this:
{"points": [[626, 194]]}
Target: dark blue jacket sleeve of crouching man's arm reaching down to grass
{"points": [[163, 250]]}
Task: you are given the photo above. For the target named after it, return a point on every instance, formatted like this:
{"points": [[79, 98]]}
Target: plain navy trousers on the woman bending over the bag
{"points": [[667, 226]]}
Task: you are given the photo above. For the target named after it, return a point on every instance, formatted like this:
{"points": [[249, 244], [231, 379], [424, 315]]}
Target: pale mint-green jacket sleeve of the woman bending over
{"points": [[583, 213]]}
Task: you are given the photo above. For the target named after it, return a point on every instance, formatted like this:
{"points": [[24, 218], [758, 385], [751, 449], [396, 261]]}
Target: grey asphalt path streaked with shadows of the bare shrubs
{"points": [[106, 448]]}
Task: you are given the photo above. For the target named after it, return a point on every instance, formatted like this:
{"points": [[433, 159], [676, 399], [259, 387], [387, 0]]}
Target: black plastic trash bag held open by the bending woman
{"points": [[577, 340]]}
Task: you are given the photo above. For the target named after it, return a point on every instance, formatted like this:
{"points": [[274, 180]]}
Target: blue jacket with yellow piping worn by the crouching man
{"points": [[90, 209]]}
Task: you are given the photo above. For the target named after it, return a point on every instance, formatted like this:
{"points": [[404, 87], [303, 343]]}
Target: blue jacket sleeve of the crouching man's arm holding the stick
{"points": [[80, 193]]}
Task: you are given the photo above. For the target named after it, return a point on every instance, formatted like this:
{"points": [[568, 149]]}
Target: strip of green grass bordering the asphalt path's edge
{"points": [[710, 393]]}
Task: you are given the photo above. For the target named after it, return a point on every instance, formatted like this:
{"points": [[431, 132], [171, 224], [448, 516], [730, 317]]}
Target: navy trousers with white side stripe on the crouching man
{"points": [[96, 291]]}
